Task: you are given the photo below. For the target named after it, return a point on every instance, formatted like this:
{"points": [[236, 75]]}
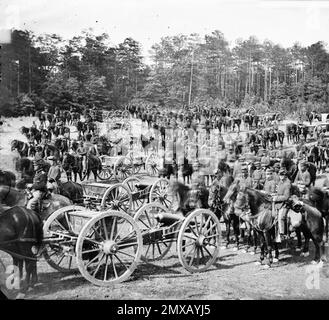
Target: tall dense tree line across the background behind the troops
{"points": [[89, 70]]}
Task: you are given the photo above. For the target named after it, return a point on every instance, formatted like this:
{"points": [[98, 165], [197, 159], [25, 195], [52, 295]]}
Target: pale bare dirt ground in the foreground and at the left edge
{"points": [[234, 275]]}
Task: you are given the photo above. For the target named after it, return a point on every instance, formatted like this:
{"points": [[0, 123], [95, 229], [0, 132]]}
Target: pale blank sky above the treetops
{"points": [[281, 21]]}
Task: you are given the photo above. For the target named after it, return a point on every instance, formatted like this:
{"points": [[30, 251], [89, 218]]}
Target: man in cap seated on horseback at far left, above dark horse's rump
{"points": [[39, 185]]}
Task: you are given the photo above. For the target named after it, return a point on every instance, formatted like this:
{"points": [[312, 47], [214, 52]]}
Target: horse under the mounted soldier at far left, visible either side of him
{"points": [[14, 197]]}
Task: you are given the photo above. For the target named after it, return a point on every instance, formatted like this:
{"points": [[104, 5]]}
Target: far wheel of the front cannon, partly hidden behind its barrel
{"points": [[156, 240]]}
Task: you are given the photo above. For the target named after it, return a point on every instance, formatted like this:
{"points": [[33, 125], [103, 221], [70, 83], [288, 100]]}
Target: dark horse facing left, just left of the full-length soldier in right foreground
{"points": [[260, 217]]}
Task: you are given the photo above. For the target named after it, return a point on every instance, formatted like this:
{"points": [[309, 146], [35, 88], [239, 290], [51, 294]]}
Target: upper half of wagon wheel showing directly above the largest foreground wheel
{"points": [[117, 197]]}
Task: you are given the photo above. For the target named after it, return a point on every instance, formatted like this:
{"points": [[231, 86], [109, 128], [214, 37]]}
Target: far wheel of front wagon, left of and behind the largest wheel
{"points": [[59, 254]]}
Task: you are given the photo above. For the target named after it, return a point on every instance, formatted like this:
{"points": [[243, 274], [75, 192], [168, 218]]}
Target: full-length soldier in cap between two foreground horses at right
{"points": [[283, 194]]}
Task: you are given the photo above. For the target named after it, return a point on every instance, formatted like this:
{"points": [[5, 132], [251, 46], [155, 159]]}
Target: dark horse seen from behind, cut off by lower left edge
{"points": [[20, 230]]}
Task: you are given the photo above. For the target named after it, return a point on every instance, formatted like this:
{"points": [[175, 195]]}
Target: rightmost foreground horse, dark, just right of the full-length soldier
{"points": [[308, 221]]}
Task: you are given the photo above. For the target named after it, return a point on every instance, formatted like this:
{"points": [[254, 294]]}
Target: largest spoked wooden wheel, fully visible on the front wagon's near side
{"points": [[108, 248]]}
